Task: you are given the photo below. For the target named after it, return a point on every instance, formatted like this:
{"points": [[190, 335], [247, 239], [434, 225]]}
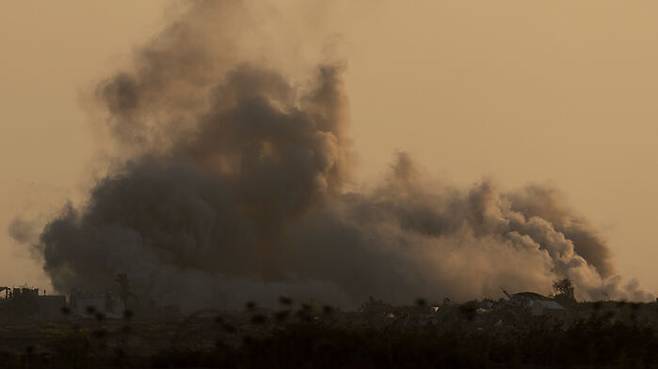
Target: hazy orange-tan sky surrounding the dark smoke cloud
{"points": [[559, 92]]}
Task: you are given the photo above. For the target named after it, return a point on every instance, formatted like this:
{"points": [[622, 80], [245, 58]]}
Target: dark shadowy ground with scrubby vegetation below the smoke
{"points": [[479, 334]]}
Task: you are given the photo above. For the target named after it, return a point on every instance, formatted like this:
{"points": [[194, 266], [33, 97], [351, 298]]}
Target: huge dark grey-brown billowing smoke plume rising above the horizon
{"points": [[232, 186]]}
